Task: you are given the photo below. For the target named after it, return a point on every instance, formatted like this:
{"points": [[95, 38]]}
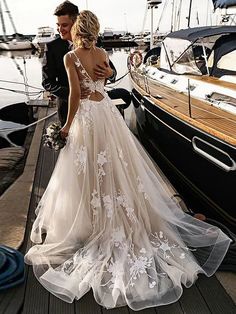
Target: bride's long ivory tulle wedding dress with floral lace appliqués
{"points": [[109, 221]]}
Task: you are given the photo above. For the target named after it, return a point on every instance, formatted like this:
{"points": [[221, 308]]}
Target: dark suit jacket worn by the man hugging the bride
{"points": [[54, 74]]}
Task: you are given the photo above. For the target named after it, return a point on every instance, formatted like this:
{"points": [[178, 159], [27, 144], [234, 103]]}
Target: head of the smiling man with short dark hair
{"points": [[66, 14]]}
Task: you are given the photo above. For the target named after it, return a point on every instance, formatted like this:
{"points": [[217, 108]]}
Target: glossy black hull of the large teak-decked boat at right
{"points": [[207, 186]]}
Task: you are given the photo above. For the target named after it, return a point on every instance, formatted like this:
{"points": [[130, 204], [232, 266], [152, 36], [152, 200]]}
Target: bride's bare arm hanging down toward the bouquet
{"points": [[74, 95]]}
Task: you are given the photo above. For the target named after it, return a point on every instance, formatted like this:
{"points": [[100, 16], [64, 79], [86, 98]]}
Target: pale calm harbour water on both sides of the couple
{"points": [[20, 67]]}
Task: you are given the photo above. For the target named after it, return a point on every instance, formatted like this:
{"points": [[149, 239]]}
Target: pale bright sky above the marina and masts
{"points": [[126, 15]]}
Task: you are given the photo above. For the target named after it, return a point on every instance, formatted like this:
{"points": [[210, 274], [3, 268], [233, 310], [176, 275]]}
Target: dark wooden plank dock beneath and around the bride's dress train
{"points": [[206, 296]]}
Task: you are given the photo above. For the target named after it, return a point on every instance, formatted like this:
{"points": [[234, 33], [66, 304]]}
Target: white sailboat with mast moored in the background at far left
{"points": [[10, 43]]}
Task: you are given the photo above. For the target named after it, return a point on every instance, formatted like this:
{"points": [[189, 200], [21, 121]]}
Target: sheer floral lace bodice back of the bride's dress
{"points": [[85, 79]]}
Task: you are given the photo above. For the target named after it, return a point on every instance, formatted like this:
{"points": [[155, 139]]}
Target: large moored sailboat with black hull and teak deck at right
{"points": [[184, 97]]}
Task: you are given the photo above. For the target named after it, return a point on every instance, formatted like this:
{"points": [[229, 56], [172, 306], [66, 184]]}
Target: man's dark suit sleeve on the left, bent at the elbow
{"points": [[49, 79]]}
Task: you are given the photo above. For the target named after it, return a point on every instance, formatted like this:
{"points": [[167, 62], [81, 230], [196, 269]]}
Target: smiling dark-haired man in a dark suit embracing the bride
{"points": [[54, 74]]}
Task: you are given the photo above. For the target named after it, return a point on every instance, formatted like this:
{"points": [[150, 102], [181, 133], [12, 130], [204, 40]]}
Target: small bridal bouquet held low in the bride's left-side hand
{"points": [[52, 138]]}
